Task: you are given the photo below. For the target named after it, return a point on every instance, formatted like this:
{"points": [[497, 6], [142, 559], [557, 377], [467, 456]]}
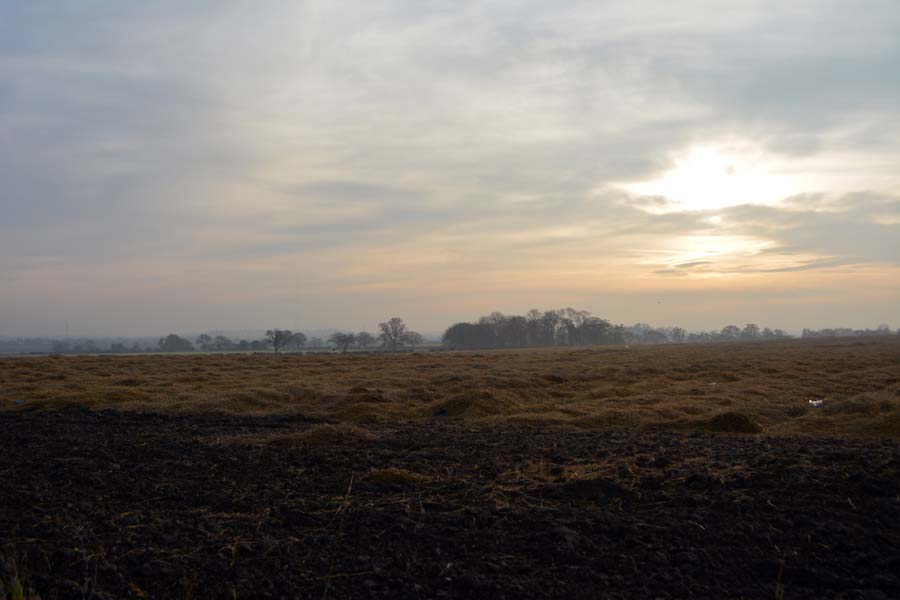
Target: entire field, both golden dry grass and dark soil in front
{"points": [[688, 471]]}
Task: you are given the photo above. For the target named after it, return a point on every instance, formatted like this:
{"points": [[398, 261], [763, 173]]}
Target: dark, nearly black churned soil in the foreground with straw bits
{"points": [[111, 505]]}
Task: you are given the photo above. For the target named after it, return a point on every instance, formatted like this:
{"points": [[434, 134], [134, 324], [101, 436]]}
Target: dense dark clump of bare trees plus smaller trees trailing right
{"points": [[571, 327]]}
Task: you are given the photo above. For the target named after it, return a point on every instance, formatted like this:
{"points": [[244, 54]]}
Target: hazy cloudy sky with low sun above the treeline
{"points": [[174, 166]]}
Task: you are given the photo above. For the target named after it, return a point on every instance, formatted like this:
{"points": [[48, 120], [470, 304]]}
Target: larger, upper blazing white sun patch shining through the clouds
{"points": [[709, 178]]}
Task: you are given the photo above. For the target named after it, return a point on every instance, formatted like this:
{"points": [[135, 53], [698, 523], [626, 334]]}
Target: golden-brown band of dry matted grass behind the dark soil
{"points": [[723, 387]]}
